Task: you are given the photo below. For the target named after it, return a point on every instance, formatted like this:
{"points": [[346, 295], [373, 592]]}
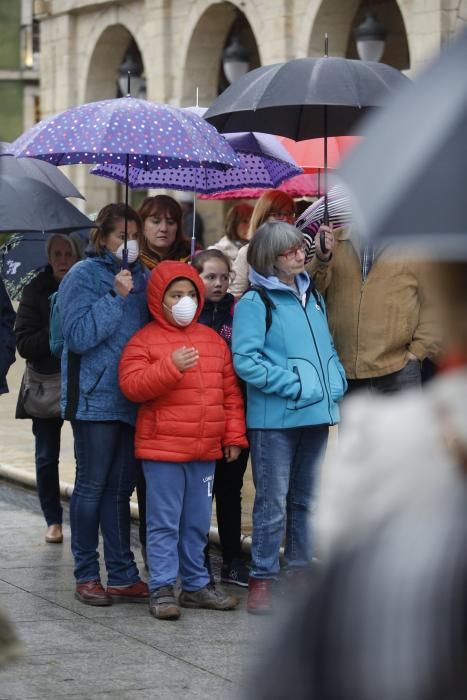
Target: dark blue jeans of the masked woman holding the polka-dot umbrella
{"points": [[105, 480]]}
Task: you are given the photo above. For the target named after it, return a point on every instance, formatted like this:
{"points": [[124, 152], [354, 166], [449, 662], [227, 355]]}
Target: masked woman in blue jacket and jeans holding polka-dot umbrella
{"points": [[101, 306]]}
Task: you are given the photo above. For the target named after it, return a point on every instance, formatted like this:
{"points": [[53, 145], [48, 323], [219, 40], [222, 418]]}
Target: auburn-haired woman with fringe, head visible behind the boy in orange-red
{"points": [[162, 236]]}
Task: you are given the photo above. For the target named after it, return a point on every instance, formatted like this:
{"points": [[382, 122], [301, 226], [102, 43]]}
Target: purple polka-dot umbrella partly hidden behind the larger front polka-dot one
{"points": [[265, 163]]}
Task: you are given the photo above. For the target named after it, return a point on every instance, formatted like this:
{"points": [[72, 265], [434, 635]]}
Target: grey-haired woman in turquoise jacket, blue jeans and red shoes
{"points": [[283, 350]]}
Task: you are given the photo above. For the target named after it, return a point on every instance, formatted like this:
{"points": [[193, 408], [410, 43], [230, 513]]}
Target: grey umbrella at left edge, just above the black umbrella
{"points": [[38, 170]]}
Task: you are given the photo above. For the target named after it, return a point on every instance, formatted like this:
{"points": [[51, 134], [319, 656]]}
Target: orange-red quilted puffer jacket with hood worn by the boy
{"points": [[183, 416]]}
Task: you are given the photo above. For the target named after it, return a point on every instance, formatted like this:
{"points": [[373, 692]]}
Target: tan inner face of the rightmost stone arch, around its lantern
{"points": [[338, 20]]}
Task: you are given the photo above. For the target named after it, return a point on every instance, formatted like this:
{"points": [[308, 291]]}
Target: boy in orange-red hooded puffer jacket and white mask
{"points": [[191, 414]]}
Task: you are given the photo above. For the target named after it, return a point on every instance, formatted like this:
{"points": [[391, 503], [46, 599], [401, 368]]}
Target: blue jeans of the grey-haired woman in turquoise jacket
{"points": [[284, 465]]}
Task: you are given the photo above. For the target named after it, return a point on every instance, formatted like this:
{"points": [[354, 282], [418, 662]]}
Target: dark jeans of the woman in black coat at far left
{"points": [[47, 437]]}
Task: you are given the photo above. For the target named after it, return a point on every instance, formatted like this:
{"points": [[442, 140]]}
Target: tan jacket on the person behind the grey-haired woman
{"points": [[377, 322]]}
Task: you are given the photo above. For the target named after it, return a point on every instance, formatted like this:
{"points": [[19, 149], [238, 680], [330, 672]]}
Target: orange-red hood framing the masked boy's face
{"points": [[162, 277]]}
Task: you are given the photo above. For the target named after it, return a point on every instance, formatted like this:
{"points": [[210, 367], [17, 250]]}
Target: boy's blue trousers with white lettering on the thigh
{"points": [[178, 516]]}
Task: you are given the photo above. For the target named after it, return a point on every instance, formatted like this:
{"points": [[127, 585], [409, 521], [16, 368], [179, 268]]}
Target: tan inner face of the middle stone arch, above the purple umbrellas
{"points": [[207, 31]]}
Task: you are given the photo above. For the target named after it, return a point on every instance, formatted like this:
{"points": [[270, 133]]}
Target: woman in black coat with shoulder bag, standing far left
{"points": [[32, 338]]}
